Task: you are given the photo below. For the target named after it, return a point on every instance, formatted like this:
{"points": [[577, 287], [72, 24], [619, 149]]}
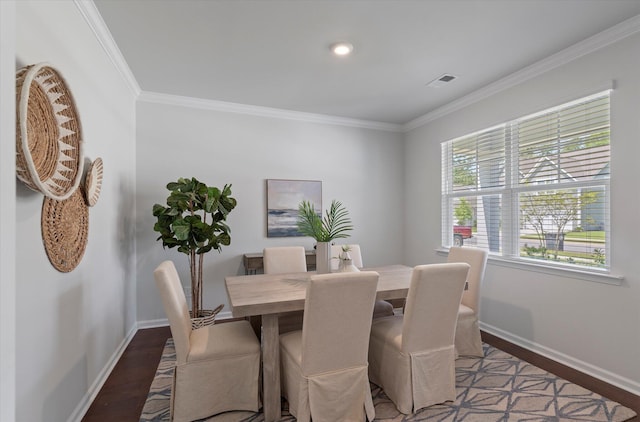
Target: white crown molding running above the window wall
{"points": [[587, 46]]}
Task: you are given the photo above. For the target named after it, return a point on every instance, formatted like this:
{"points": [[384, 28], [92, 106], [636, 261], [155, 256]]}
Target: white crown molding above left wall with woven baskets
{"points": [[92, 16]]}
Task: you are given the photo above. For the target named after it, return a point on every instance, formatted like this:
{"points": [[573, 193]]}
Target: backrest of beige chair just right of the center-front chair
{"points": [[431, 311]]}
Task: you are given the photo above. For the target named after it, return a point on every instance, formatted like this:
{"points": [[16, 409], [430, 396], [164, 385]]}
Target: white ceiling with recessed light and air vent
{"points": [[276, 54]]}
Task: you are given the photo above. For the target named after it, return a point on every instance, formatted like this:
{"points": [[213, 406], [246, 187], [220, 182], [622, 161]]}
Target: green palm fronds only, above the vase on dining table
{"points": [[334, 225]]}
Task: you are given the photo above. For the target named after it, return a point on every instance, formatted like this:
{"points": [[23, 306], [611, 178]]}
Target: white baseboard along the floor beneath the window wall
{"points": [[587, 368]]}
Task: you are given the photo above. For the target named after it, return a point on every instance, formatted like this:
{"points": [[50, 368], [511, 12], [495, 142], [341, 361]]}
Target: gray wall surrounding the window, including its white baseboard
{"points": [[591, 326]]}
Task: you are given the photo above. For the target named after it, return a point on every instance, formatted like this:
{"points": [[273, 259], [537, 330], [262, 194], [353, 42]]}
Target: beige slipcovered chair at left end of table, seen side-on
{"points": [[217, 366]]}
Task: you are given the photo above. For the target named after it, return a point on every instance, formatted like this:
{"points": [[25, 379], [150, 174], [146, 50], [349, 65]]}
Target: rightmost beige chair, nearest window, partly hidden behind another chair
{"points": [[468, 341]]}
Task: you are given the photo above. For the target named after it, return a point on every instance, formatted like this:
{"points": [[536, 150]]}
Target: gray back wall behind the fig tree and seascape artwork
{"points": [[362, 168]]}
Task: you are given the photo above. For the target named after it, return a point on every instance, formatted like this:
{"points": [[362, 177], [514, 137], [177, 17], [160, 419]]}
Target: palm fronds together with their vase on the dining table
{"points": [[334, 225]]}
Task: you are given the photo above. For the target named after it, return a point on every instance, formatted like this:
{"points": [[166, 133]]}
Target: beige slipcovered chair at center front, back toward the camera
{"points": [[324, 366]]}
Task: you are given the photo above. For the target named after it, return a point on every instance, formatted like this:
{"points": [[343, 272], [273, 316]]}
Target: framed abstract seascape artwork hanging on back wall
{"points": [[283, 198]]}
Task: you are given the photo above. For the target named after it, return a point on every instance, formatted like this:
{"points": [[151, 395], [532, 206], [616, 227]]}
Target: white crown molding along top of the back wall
{"points": [[276, 113]]}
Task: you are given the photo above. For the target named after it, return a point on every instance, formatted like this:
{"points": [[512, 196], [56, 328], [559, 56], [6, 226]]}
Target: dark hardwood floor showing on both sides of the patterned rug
{"points": [[123, 395]]}
